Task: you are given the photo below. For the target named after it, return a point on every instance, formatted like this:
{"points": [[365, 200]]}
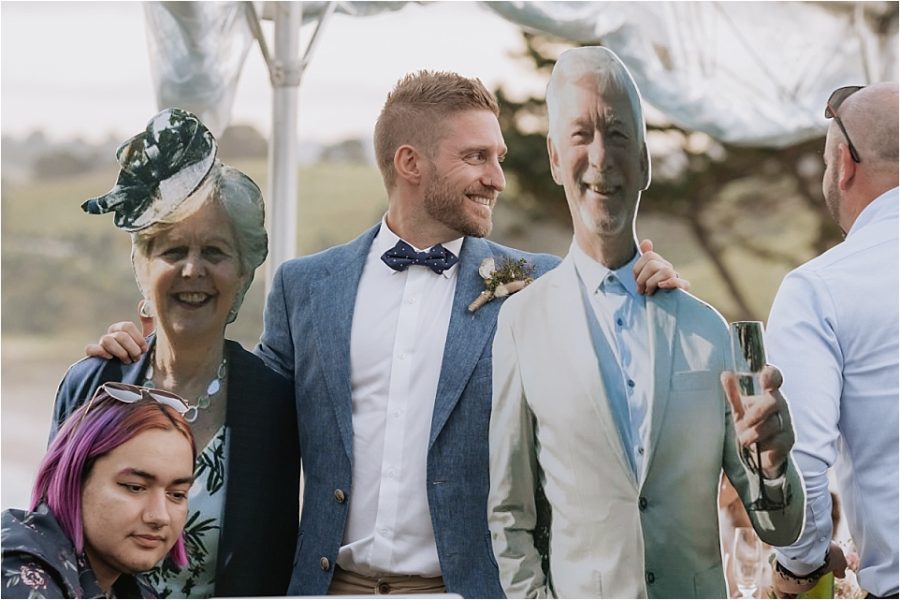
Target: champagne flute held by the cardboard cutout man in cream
{"points": [[748, 353]]}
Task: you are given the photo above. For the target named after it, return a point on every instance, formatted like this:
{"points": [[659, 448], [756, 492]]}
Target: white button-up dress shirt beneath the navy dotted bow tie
{"points": [[400, 324]]}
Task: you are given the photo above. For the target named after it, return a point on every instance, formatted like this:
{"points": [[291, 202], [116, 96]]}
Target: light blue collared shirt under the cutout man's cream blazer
{"points": [[622, 313]]}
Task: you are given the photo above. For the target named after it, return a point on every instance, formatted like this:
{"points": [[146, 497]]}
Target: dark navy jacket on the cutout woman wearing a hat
{"points": [[262, 492]]}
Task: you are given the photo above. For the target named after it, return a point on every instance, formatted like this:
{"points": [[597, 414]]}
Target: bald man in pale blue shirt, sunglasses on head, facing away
{"points": [[833, 331]]}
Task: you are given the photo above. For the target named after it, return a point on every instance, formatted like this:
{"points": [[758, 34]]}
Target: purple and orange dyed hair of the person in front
{"points": [[82, 440]]}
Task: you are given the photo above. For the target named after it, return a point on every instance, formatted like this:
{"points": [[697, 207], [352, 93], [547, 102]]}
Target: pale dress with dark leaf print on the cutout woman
{"points": [[206, 502]]}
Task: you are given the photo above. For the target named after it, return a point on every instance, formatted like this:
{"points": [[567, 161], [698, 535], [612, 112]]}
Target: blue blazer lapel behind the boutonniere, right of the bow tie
{"points": [[466, 335]]}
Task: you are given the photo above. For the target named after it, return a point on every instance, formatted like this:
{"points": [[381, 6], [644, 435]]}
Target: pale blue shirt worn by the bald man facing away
{"points": [[833, 332]]}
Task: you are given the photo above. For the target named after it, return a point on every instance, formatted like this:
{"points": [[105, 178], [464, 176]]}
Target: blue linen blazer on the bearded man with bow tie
{"points": [[306, 338]]}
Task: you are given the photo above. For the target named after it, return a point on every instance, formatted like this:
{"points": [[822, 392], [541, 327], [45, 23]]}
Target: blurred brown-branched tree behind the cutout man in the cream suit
{"points": [[734, 200]]}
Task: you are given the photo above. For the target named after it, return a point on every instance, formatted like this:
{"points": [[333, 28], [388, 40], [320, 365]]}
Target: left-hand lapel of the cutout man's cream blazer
{"points": [[572, 341]]}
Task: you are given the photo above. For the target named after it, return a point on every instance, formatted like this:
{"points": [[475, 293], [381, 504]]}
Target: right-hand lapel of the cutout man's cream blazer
{"points": [[662, 311]]}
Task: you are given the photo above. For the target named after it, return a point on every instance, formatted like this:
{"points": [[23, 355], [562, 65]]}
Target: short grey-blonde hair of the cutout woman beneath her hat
{"points": [[242, 202]]}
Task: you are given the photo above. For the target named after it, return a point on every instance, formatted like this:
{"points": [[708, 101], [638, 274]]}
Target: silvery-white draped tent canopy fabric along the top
{"points": [[748, 73]]}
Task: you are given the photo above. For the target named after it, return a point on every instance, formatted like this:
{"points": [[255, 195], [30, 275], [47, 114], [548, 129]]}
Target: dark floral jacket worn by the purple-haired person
{"points": [[39, 561]]}
